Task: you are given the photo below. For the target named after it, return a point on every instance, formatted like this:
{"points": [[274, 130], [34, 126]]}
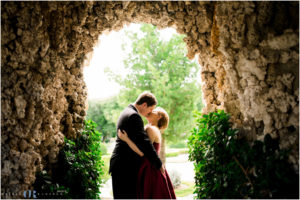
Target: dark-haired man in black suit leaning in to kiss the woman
{"points": [[125, 163]]}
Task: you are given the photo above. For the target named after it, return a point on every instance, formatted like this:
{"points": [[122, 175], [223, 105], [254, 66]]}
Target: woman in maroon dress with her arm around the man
{"points": [[152, 184]]}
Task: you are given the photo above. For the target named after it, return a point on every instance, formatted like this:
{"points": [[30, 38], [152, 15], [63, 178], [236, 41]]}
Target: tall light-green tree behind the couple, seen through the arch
{"points": [[162, 68]]}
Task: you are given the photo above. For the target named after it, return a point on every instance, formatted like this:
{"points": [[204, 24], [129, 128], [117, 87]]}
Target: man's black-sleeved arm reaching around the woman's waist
{"points": [[140, 138]]}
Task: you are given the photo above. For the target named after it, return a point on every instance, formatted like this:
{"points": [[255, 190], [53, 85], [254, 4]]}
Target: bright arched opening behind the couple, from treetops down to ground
{"points": [[165, 52]]}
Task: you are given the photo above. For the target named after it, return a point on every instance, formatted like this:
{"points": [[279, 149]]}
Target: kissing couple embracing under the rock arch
{"points": [[137, 171]]}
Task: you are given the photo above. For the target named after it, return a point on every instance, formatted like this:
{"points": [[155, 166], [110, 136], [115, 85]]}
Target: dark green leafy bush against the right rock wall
{"points": [[229, 167]]}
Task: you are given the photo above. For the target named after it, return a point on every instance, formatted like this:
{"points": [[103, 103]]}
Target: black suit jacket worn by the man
{"points": [[124, 158]]}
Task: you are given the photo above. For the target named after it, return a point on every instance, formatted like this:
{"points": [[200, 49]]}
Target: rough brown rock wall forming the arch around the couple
{"points": [[249, 53]]}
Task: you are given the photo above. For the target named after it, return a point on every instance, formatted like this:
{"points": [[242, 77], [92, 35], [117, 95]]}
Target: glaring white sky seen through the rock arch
{"points": [[108, 53]]}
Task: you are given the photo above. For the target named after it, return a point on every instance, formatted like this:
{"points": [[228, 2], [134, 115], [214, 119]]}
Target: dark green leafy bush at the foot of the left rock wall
{"points": [[80, 167]]}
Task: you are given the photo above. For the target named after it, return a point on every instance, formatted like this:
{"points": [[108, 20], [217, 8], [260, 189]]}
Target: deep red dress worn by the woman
{"points": [[152, 184]]}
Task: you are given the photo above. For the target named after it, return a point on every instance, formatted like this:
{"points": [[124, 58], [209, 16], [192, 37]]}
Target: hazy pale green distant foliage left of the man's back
{"points": [[105, 114]]}
